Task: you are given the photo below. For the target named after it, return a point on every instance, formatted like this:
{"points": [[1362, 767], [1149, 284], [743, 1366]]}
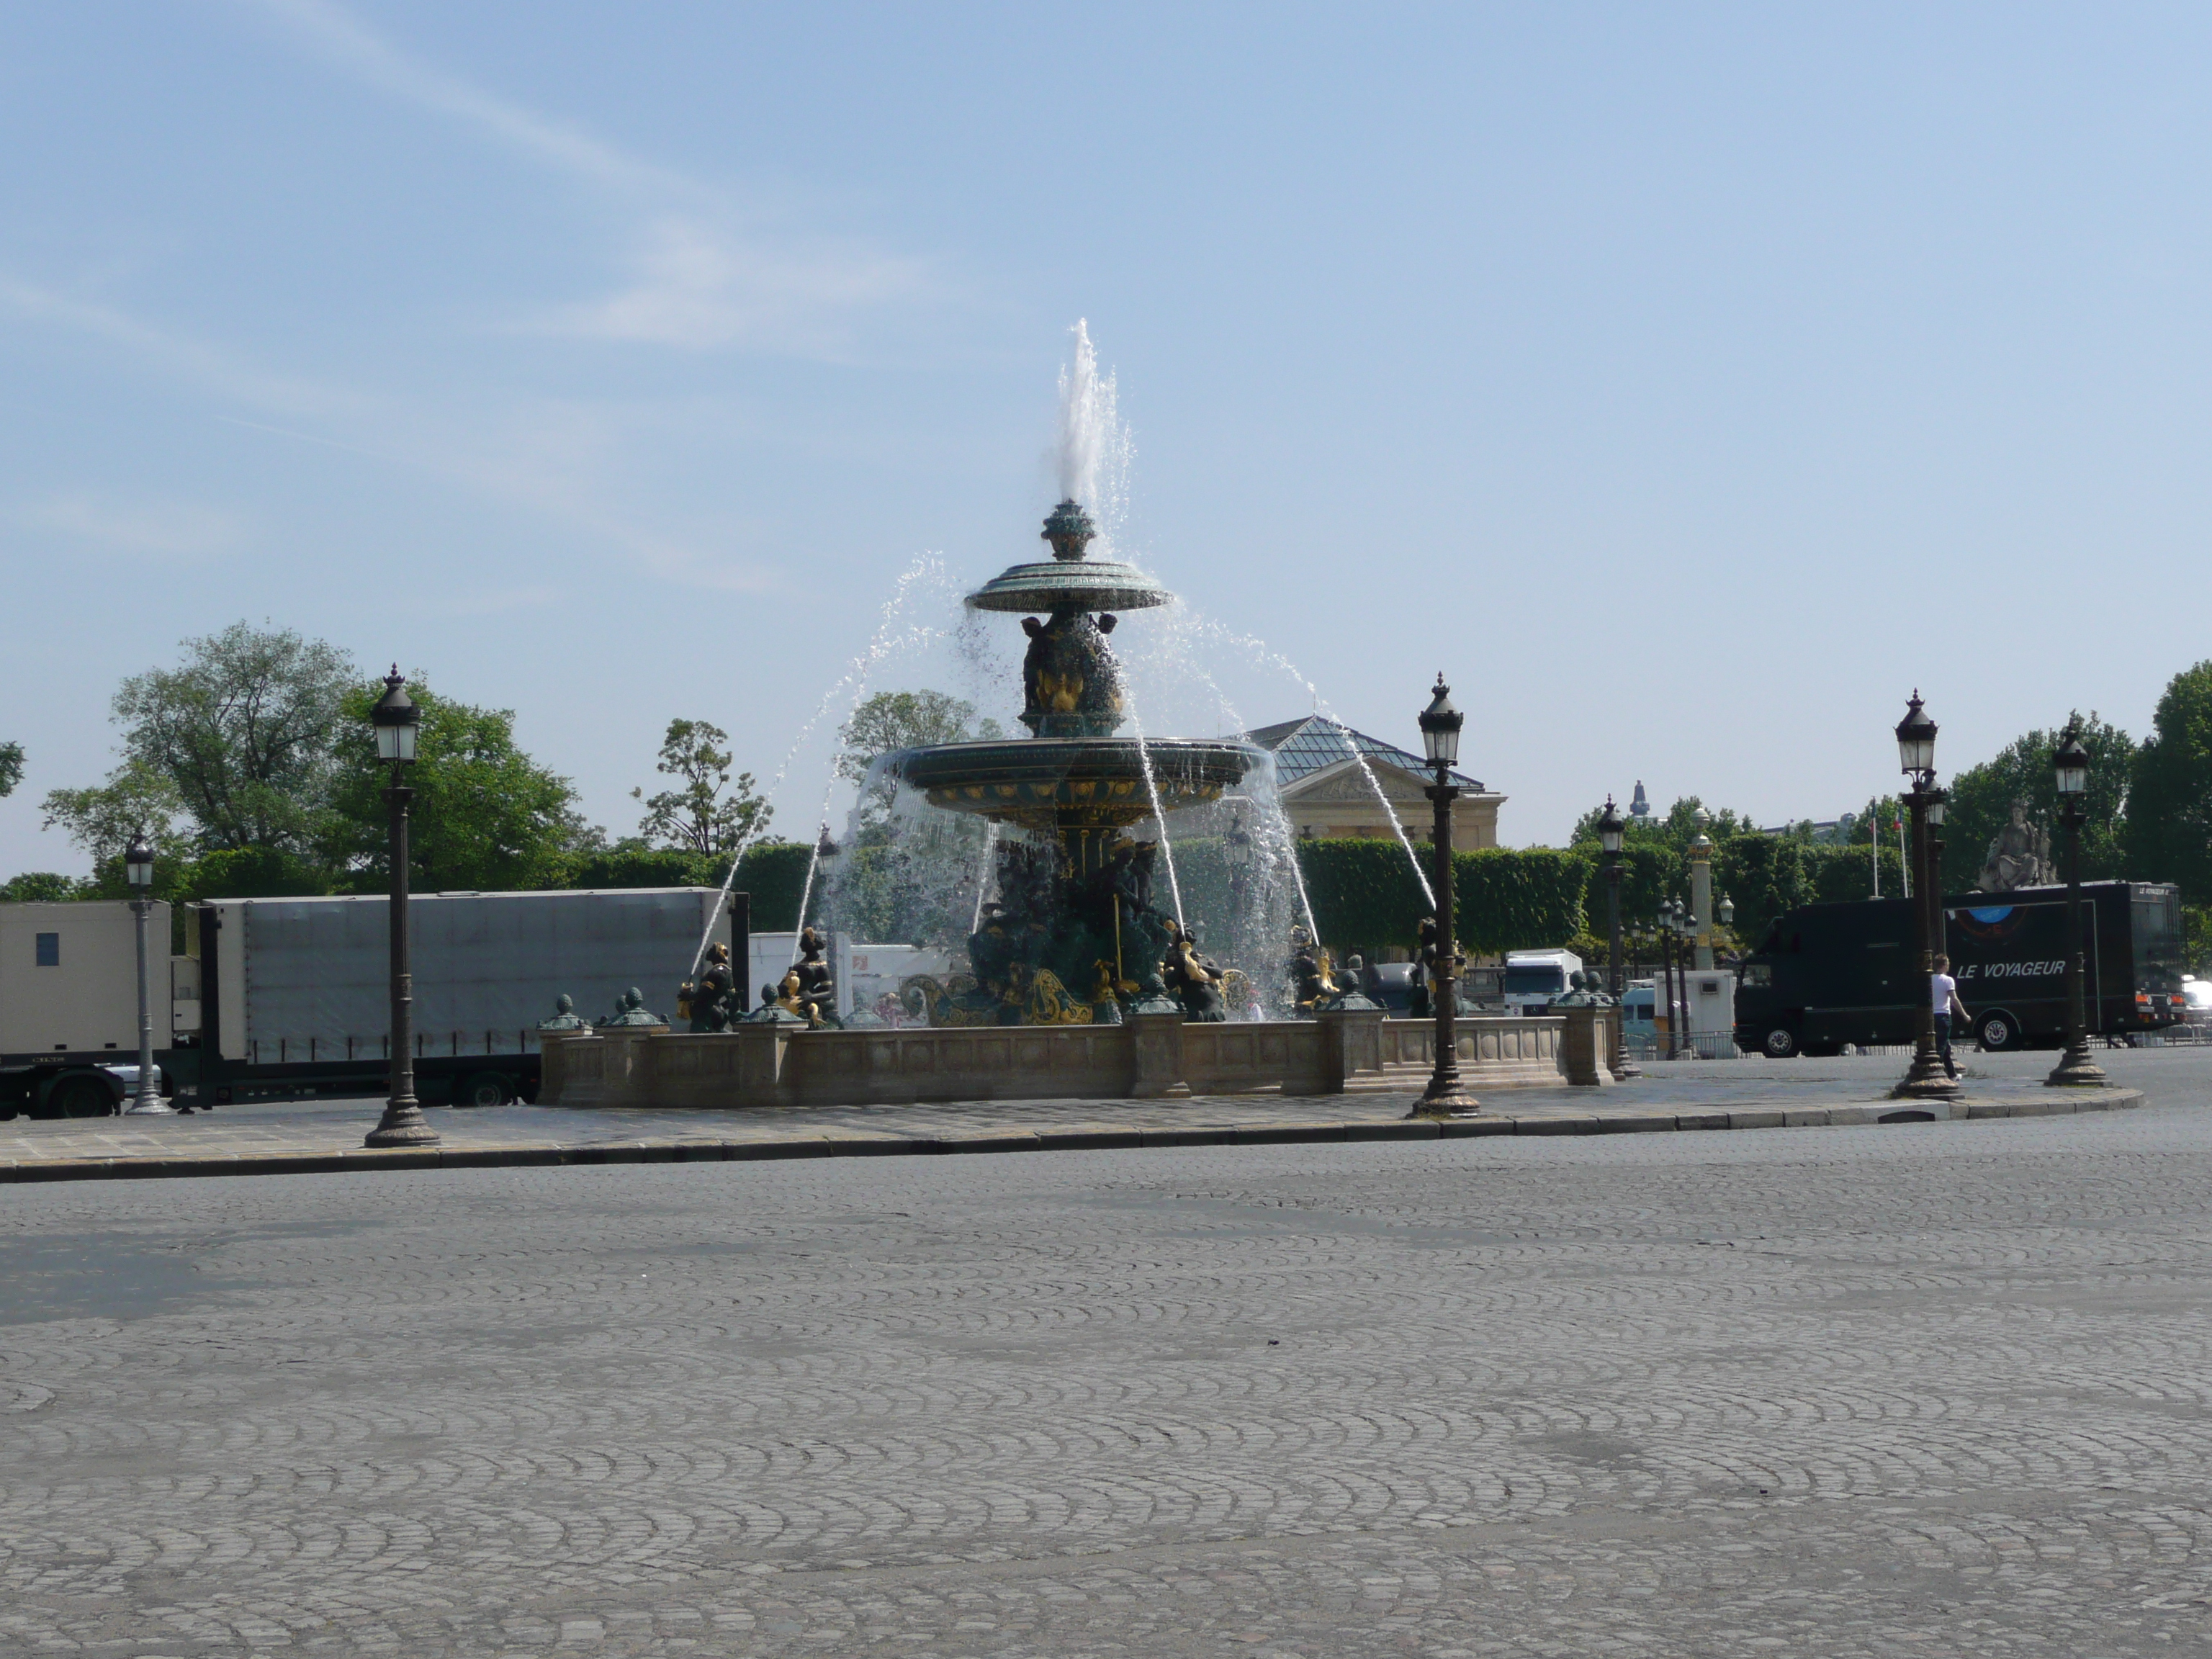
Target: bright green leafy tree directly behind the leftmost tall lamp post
{"points": [[486, 815]]}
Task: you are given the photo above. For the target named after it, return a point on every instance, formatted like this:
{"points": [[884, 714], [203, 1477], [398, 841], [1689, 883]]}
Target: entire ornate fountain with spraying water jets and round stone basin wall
{"points": [[1083, 981]]}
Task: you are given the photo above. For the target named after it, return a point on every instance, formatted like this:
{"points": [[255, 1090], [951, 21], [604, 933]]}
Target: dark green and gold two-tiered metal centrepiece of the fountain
{"points": [[1074, 937]]}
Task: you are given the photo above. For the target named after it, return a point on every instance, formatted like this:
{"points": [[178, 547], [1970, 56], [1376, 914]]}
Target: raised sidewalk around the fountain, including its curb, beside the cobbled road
{"points": [[326, 1136]]}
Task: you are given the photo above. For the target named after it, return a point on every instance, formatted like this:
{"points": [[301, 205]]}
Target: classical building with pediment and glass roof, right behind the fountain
{"points": [[1326, 793]]}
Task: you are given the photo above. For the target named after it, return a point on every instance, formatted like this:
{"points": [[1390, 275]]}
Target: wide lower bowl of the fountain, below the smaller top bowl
{"points": [[1076, 782]]}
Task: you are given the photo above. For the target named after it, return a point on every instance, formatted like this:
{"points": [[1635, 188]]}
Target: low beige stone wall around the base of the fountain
{"points": [[1149, 1056]]}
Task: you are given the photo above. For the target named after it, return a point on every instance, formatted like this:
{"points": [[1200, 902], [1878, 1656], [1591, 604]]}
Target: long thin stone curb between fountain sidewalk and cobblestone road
{"points": [[1081, 1140]]}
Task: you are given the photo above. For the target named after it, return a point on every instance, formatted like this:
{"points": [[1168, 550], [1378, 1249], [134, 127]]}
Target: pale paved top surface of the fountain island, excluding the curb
{"points": [[1746, 1087]]}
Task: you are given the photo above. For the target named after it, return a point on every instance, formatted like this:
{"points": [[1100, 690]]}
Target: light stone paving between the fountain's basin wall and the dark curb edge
{"points": [[1746, 1094]]}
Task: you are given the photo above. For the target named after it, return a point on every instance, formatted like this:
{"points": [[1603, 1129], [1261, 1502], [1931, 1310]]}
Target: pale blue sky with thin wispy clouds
{"points": [[1687, 384]]}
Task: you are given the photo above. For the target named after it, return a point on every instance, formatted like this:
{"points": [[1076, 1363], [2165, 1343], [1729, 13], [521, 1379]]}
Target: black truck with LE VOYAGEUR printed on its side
{"points": [[1828, 977]]}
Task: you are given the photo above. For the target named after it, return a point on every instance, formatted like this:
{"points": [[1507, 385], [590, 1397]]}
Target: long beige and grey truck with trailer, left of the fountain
{"points": [[291, 999]]}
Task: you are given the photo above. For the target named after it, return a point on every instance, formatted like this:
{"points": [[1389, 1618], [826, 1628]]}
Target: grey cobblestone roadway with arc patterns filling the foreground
{"points": [[1926, 1390]]}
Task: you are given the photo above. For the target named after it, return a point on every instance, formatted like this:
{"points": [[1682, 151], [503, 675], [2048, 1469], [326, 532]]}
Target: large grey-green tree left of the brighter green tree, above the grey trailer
{"points": [[244, 731]]}
